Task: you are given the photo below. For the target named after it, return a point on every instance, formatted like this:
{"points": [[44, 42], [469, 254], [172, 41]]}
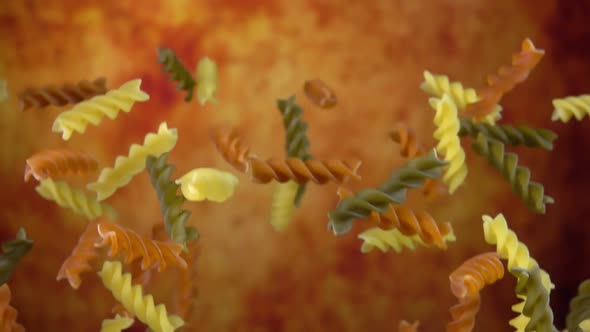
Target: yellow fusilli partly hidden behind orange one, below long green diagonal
{"points": [[384, 240]]}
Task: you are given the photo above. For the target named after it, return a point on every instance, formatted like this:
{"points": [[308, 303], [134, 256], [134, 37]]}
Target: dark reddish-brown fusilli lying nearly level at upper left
{"points": [[63, 95]]}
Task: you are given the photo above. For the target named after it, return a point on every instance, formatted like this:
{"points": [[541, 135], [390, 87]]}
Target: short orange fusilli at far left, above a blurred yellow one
{"points": [[56, 162]]}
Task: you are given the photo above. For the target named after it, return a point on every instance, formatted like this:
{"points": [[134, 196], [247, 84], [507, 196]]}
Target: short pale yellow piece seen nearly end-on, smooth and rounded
{"points": [[210, 184]]}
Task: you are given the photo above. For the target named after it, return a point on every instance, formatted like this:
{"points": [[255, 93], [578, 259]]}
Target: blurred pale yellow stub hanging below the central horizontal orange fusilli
{"points": [[283, 208]]}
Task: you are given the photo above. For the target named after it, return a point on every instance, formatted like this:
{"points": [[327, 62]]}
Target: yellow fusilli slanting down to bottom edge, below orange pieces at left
{"points": [[131, 296]]}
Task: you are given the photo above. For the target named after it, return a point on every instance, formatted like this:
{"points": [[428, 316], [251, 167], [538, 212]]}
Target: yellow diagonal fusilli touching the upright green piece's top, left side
{"points": [[126, 167]]}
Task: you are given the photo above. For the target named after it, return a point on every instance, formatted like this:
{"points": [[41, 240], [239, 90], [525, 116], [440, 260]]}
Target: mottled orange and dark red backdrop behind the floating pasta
{"points": [[373, 54]]}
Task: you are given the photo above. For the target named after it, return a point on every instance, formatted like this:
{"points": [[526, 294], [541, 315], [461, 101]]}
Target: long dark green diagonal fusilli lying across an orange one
{"points": [[362, 203]]}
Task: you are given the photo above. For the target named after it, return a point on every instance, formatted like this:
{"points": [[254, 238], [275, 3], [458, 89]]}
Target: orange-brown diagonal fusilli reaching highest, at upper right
{"points": [[506, 79]]}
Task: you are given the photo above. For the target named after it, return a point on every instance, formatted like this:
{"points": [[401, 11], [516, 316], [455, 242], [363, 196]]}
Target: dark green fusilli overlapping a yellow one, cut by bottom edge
{"points": [[536, 306]]}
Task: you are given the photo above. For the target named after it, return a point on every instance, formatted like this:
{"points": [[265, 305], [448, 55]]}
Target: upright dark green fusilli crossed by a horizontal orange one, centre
{"points": [[296, 141]]}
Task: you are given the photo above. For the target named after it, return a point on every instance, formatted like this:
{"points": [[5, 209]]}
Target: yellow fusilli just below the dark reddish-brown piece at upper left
{"points": [[92, 111]]}
